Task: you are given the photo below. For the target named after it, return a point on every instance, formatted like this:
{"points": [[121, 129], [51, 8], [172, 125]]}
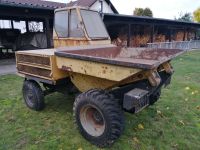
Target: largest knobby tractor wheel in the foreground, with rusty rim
{"points": [[99, 117]]}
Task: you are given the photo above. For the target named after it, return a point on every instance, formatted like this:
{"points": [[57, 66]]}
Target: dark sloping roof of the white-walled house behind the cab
{"points": [[89, 3]]}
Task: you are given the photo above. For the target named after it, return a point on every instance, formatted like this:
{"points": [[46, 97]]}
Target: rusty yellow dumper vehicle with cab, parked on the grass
{"points": [[110, 79]]}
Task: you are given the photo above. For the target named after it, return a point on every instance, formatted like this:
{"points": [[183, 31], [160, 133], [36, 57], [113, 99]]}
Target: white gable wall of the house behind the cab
{"points": [[97, 6]]}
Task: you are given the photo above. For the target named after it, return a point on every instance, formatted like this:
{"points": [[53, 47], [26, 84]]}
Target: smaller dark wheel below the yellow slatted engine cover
{"points": [[33, 95]]}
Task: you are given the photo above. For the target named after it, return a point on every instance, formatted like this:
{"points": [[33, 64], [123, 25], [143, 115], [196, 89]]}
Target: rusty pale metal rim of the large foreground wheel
{"points": [[92, 120]]}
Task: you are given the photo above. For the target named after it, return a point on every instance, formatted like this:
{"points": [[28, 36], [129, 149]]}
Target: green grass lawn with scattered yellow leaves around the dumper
{"points": [[172, 123]]}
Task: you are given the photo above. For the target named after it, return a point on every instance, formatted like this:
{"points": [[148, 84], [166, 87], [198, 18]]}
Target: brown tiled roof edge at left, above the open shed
{"points": [[33, 4]]}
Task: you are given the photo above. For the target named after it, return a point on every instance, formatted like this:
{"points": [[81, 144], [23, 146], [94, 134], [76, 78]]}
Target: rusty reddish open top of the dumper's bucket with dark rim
{"points": [[141, 58]]}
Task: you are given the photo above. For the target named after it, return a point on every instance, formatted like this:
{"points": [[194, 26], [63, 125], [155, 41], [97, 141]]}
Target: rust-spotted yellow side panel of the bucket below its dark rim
{"points": [[99, 70]]}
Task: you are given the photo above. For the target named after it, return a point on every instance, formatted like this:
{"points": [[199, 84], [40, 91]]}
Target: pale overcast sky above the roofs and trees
{"points": [[168, 9]]}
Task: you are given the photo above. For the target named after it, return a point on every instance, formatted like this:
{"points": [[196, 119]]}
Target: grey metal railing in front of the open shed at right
{"points": [[184, 45]]}
